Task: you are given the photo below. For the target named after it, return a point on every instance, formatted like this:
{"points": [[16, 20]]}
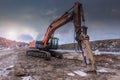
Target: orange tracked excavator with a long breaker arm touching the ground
{"points": [[76, 15]]}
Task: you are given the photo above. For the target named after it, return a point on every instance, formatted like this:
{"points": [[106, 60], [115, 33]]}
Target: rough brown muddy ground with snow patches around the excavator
{"points": [[17, 66]]}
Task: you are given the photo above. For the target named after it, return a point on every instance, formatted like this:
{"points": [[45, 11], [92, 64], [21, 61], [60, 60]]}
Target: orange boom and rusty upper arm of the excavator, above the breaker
{"points": [[76, 15]]}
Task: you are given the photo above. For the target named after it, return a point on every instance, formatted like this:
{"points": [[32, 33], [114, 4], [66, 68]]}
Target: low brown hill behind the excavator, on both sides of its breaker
{"points": [[102, 45]]}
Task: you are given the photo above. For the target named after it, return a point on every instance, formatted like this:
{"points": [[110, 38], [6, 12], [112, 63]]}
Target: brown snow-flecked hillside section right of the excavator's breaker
{"points": [[106, 45]]}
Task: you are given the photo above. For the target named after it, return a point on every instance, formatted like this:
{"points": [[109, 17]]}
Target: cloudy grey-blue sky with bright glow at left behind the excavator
{"points": [[27, 20]]}
